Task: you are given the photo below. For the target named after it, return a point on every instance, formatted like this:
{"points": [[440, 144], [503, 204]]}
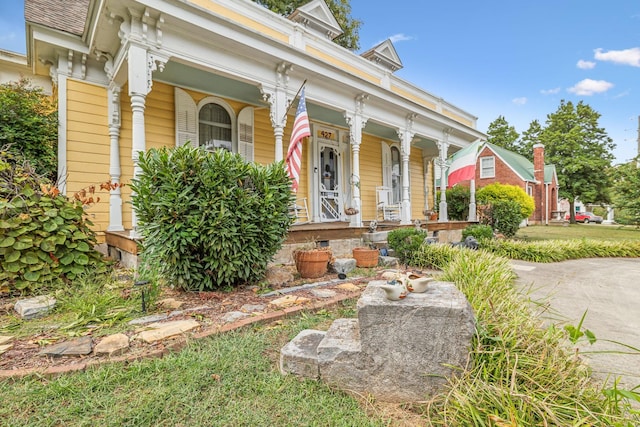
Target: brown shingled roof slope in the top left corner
{"points": [[63, 15]]}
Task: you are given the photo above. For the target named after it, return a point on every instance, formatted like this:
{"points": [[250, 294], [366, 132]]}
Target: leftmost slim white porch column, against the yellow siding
{"points": [[115, 171]]}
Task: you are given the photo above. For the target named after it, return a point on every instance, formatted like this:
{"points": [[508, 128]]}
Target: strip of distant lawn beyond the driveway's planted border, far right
{"points": [[579, 231]]}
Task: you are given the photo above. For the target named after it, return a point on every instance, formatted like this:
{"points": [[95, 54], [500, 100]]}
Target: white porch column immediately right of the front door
{"points": [[356, 122]]}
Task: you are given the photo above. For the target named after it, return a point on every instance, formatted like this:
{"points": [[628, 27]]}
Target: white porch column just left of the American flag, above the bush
{"points": [[276, 96]]}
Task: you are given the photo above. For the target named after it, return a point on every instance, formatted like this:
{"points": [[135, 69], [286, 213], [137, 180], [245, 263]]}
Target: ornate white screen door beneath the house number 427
{"points": [[330, 183]]}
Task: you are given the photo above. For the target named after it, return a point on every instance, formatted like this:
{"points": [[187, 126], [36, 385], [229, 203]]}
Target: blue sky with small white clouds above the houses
{"points": [[498, 57]]}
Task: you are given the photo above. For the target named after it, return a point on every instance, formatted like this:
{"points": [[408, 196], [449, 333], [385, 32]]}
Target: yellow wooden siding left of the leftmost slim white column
{"points": [[88, 147]]}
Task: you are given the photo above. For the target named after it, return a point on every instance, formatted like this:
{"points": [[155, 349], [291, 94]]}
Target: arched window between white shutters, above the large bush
{"points": [[214, 127]]}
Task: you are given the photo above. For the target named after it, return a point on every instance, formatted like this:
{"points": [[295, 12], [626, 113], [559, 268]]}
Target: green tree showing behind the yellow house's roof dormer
{"points": [[341, 11]]}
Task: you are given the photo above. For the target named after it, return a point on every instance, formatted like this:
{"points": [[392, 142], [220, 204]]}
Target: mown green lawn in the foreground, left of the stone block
{"points": [[227, 380]]}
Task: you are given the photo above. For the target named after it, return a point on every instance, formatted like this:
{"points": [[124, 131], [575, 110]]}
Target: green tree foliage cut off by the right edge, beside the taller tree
{"points": [[626, 189]]}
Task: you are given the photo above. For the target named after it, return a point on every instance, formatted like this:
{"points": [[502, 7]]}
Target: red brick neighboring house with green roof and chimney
{"points": [[498, 165]]}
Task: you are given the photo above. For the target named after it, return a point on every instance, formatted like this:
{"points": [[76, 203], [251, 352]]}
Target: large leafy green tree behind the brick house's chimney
{"points": [[581, 152]]}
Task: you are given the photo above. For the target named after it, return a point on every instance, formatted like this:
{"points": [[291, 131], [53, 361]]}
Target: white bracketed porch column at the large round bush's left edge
{"points": [[141, 66]]}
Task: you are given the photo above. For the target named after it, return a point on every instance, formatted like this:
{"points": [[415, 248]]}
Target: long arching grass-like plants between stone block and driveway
{"points": [[521, 374]]}
